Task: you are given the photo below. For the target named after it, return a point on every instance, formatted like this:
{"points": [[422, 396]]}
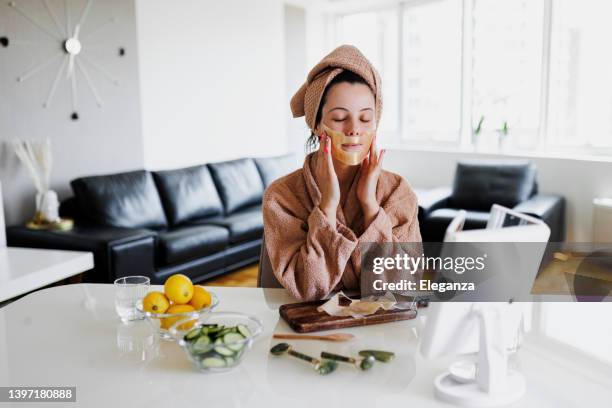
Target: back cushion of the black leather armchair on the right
{"points": [[480, 184]]}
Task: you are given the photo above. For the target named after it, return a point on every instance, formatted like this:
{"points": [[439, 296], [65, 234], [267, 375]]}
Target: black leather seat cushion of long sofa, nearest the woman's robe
{"points": [[243, 225]]}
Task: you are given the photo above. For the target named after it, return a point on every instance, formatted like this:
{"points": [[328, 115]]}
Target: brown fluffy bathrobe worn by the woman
{"points": [[309, 257]]}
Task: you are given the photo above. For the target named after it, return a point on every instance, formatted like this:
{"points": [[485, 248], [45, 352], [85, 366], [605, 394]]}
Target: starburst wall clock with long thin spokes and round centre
{"points": [[72, 48]]}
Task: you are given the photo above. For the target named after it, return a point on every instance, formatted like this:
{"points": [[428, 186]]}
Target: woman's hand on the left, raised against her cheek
{"points": [[327, 180]]}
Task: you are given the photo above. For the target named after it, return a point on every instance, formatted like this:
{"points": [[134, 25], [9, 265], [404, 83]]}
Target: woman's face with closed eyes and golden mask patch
{"points": [[349, 109]]}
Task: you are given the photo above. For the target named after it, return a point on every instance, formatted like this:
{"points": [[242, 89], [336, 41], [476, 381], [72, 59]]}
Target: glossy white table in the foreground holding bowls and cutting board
{"points": [[70, 336]]}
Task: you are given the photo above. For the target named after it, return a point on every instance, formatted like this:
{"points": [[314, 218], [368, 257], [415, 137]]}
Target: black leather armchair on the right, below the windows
{"points": [[479, 184]]}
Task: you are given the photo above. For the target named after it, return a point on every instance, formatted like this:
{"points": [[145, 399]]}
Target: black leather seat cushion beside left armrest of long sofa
{"points": [[190, 242]]}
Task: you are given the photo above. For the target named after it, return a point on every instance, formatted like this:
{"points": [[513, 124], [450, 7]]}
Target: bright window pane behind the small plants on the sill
{"points": [[506, 67]]}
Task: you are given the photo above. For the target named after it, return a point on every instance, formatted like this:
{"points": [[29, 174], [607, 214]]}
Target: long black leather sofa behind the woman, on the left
{"points": [[201, 221]]}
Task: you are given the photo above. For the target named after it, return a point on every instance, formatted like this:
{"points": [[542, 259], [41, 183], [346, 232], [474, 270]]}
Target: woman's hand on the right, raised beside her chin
{"points": [[368, 180]]}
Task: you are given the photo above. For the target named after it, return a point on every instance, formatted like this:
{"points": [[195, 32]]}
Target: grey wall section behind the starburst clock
{"points": [[103, 140]]}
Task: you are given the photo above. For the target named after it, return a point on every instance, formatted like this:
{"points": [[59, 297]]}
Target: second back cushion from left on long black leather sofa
{"points": [[188, 193]]}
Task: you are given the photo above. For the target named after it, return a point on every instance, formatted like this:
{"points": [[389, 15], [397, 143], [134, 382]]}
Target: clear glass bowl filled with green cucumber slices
{"points": [[217, 341]]}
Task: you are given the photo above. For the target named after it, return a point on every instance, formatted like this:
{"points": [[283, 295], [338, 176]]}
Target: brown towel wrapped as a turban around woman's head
{"points": [[306, 100]]}
